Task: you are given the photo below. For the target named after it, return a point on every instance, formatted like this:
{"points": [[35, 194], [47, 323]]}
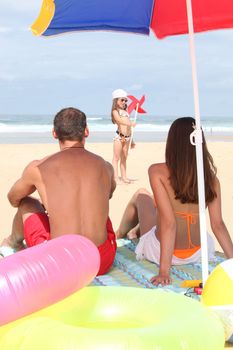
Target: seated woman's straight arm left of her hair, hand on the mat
{"points": [[167, 223]]}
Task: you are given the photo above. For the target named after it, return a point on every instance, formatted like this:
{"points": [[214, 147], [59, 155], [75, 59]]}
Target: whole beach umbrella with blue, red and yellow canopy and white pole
{"points": [[164, 18]]}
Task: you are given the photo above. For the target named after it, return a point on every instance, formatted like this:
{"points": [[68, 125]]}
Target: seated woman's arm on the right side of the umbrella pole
{"points": [[217, 224]]}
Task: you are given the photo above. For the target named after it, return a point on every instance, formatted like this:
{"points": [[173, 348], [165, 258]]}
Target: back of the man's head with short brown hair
{"points": [[70, 124]]}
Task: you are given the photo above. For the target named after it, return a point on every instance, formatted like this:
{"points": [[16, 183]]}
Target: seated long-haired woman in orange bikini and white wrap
{"points": [[168, 222]]}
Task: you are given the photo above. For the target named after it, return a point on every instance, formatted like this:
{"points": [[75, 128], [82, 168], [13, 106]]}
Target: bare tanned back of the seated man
{"points": [[75, 186]]}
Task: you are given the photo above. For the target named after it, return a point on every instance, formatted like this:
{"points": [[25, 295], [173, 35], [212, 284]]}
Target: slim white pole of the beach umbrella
{"points": [[197, 135]]}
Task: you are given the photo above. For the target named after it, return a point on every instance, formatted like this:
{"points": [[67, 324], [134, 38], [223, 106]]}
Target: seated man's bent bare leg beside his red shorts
{"points": [[27, 207]]}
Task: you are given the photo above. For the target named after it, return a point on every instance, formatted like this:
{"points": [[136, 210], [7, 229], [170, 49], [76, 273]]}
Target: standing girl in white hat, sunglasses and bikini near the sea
{"points": [[121, 141]]}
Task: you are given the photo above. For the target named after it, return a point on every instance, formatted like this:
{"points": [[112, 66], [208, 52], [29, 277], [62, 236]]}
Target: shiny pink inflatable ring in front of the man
{"points": [[37, 277]]}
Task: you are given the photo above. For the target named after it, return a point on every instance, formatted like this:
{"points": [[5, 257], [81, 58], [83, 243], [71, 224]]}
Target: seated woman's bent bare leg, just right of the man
{"points": [[139, 211]]}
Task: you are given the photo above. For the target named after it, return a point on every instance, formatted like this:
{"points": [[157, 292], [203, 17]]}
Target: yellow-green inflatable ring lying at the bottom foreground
{"points": [[98, 318]]}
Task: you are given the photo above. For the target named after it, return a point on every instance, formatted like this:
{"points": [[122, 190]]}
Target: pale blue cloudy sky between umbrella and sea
{"points": [[42, 75]]}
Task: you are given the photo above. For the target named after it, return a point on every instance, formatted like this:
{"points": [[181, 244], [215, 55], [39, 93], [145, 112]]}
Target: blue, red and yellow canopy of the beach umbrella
{"points": [[164, 17]]}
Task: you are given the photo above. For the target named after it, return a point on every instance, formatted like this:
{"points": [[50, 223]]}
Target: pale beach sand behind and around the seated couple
{"points": [[15, 157]]}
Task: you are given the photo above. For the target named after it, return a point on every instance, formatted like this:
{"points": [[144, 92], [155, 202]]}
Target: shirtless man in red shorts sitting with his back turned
{"points": [[74, 186]]}
